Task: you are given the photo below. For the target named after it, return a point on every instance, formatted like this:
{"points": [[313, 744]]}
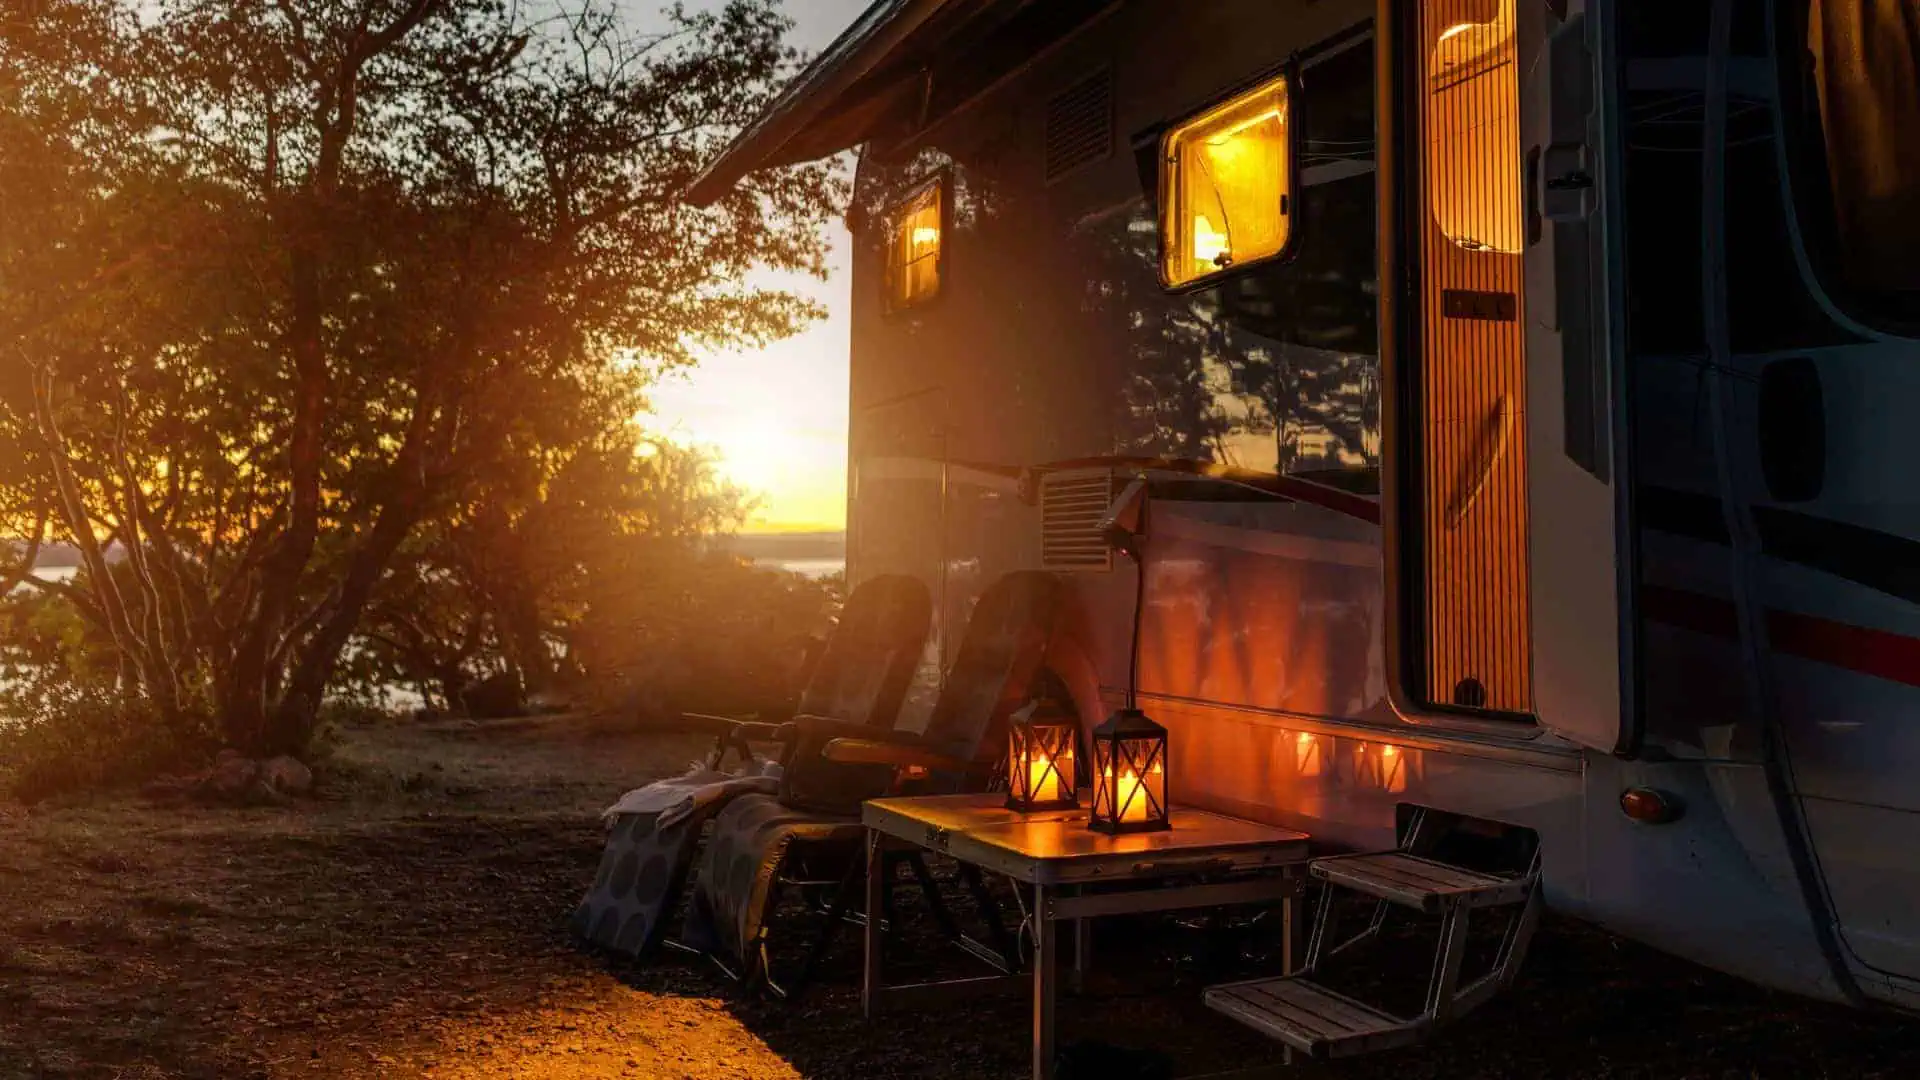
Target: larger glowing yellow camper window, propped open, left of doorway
{"points": [[1224, 185]]}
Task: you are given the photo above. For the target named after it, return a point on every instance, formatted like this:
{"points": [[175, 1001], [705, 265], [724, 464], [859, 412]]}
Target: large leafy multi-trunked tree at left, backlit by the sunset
{"points": [[329, 272]]}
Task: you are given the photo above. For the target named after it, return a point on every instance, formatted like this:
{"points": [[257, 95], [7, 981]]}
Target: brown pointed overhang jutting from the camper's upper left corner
{"points": [[863, 78]]}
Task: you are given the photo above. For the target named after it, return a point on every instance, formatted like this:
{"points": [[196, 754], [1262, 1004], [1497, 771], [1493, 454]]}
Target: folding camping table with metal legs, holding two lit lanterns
{"points": [[1078, 875]]}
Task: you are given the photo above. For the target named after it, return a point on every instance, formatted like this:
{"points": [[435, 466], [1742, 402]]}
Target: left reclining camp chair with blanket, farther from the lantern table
{"points": [[861, 681]]}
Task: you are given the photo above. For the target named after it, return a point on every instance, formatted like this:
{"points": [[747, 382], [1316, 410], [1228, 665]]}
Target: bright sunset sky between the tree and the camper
{"points": [[779, 416]]}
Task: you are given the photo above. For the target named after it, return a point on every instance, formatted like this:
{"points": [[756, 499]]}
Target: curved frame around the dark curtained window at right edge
{"points": [[1810, 197]]}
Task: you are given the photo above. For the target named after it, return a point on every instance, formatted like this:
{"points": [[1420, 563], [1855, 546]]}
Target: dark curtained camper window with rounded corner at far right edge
{"points": [[1863, 80]]}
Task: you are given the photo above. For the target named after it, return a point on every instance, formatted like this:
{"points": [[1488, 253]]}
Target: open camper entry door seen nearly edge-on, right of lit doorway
{"points": [[1573, 391]]}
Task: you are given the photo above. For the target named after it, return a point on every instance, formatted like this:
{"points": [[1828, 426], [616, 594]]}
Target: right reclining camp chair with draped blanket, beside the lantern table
{"points": [[769, 845]]}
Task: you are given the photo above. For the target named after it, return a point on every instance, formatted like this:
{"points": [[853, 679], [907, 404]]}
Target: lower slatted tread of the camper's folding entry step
{"points": [[1312, 1019]]}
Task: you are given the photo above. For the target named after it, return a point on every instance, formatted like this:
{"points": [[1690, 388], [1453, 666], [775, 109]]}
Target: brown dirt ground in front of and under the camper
{"points": [[412, 921]]}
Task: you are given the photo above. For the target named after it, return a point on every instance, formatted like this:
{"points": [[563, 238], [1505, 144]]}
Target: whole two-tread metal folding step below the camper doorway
{"points": [[1324, 1023]]}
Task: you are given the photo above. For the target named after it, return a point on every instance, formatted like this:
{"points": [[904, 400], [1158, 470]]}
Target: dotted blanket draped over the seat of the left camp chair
{"points": [[652, 839]]}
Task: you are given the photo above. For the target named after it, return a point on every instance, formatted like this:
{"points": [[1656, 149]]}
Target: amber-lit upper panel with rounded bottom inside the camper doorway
{"points": [[1474, 139]]}
